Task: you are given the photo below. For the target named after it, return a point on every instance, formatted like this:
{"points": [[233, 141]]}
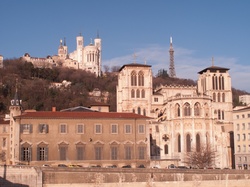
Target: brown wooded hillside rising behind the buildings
{"points": [[36, 92]]}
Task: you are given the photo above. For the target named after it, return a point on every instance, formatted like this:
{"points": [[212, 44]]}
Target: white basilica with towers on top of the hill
{"points": [[87, 57]]}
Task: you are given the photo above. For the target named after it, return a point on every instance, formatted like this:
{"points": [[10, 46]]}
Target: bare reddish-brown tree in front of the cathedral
{"points": [[202, 158]]}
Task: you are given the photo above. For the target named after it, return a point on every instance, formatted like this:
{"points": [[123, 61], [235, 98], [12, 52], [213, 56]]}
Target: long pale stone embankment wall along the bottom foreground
{"points": [[26, 176]]}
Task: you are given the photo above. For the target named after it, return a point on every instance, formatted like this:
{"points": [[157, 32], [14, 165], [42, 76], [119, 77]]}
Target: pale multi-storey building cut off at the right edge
{"points": [[241, 117]]}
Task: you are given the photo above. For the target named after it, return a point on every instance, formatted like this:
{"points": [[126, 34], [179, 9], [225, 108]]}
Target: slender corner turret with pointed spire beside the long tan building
{"points": [[15, 110]]}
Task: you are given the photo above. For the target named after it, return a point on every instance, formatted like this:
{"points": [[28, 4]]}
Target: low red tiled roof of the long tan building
{"points": [[81, 115]]}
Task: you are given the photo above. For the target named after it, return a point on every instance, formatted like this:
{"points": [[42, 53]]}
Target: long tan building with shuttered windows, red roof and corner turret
{"points": [[83, 138]]}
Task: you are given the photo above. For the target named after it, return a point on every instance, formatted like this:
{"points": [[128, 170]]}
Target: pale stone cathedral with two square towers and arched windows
{"points": [[185, 117]]}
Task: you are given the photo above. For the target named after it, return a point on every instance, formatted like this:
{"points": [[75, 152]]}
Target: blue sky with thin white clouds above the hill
{"points": [[201, 30]]}
